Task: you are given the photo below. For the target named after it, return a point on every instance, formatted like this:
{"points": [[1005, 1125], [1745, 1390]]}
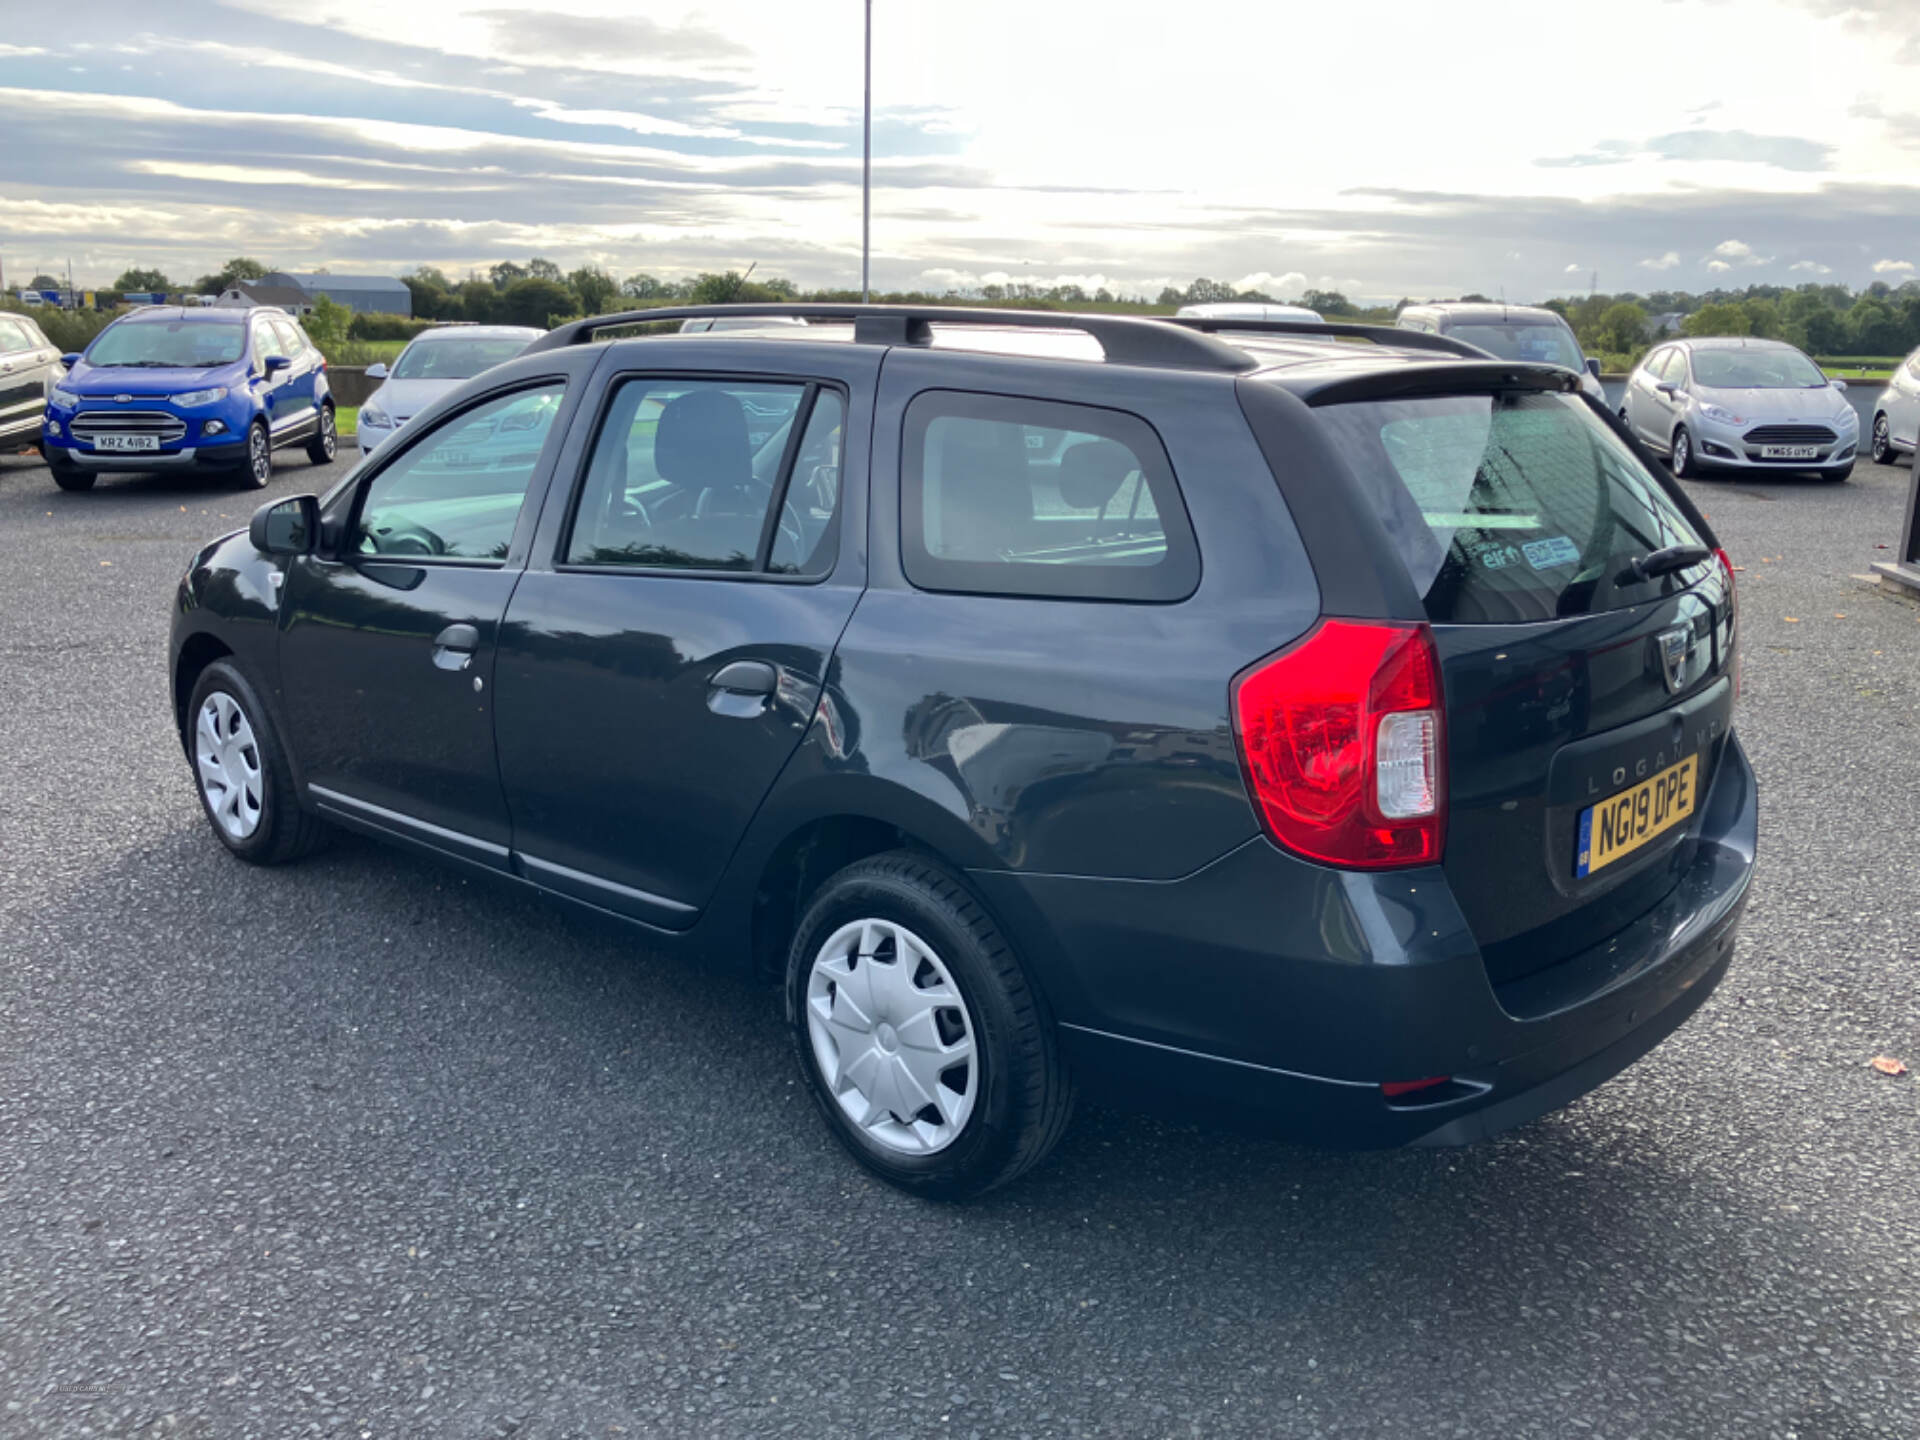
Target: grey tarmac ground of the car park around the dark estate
{"points": [[360, 1149]]}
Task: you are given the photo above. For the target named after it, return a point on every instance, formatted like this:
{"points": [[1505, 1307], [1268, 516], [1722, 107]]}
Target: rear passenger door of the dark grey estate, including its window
{"points": [[669, 644]]}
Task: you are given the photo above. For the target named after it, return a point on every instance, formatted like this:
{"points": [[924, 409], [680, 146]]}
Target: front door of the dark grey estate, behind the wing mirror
{"points": [[387, 636]]}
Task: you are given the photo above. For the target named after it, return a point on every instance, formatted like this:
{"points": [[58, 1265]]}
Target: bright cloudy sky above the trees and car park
{"points": [[1380, 147]]}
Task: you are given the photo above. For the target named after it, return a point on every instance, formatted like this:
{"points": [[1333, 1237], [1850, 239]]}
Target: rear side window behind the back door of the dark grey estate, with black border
{"points": [[1034, 498]]}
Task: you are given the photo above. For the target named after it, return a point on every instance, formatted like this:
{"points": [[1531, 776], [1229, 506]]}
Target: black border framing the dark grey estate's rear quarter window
{"points": [[1065, 583]]}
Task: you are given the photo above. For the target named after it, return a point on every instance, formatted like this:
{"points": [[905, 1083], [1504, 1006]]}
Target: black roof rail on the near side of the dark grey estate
{"points": [[1126, 339]]}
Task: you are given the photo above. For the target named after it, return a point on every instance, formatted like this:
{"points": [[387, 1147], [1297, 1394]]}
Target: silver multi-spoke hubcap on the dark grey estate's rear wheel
{"points": [[892, 1036]]}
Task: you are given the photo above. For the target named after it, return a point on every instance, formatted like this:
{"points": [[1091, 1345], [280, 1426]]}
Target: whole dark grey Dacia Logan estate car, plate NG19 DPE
{"points": [[1218, 719]]}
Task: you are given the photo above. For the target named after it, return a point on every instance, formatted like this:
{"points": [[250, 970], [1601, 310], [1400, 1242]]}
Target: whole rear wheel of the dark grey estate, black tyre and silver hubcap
{"points": [[924, 1044]]}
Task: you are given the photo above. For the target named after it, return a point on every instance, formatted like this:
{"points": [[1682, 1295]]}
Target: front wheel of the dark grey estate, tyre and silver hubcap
{"points": [[241, 773]]}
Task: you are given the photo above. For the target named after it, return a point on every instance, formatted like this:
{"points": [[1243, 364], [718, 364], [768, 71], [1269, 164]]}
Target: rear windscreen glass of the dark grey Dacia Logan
{"points": [[1510, 508]]}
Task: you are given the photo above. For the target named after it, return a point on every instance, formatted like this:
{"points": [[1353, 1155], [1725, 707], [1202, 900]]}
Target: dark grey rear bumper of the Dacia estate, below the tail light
{"points": [[1284, 996]]}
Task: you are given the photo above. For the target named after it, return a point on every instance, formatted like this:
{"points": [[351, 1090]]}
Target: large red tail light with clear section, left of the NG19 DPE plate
{"points": [[1343, 744]]}
